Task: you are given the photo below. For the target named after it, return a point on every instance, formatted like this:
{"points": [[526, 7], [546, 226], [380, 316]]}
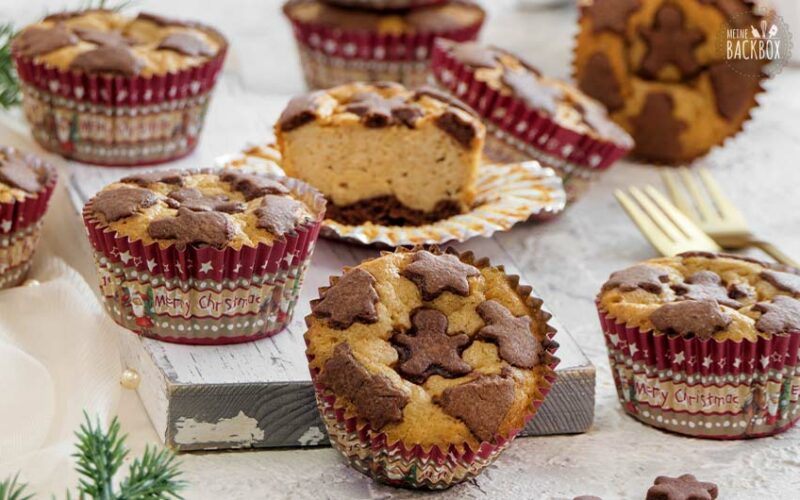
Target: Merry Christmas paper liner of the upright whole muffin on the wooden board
{"points": [[204, 295]]}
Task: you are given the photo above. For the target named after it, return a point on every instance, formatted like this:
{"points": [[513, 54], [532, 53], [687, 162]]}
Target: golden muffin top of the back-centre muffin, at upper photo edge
{"points": [[432, 18]]}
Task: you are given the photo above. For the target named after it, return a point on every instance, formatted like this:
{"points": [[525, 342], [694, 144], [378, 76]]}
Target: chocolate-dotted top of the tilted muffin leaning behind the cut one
{"points": [[510, 75]]}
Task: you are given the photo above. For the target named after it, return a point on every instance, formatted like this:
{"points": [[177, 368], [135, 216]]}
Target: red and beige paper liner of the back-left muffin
{"points": [[116, 120]]}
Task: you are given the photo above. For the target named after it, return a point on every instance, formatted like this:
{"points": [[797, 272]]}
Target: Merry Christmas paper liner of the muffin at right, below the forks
{"points": [[705, 388]]}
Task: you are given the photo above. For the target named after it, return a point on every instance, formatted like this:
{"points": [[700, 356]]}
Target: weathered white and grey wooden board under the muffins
{"points": [[259, 395]]}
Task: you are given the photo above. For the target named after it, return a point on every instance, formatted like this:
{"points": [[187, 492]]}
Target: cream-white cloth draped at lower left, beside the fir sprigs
{"points": [[58, 357]]}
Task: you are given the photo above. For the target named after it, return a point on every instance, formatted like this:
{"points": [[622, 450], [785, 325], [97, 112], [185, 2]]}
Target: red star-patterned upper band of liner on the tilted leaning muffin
{"points": [[517, 120]]}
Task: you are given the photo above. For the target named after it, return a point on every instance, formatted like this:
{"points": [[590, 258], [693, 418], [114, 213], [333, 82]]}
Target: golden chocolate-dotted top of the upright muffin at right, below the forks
{"points": [[706, 295]]}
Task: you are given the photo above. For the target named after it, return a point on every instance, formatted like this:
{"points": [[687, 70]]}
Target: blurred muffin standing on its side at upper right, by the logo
{"points": [[661, 69]]}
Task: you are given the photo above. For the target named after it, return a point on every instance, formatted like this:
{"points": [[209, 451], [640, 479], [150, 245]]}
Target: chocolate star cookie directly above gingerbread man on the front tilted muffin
{"points": [[436, 274]]}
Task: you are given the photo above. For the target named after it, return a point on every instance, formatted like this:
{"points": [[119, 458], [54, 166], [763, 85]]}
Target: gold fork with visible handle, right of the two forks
{"points": [[714, 213]]}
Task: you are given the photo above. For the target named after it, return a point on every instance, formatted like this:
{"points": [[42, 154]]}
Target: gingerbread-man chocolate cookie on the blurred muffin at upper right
{"points": [[669, 42]]}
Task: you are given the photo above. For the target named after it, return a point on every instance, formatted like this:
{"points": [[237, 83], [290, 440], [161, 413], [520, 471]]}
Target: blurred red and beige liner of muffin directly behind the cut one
{"points": [[332, 56]]}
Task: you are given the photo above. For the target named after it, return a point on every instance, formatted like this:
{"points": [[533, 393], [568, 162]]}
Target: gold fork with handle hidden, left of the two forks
{"points": [[667, 229]]}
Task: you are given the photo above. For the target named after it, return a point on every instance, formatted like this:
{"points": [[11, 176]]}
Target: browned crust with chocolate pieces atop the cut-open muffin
{"points": [[383, 105]]}
